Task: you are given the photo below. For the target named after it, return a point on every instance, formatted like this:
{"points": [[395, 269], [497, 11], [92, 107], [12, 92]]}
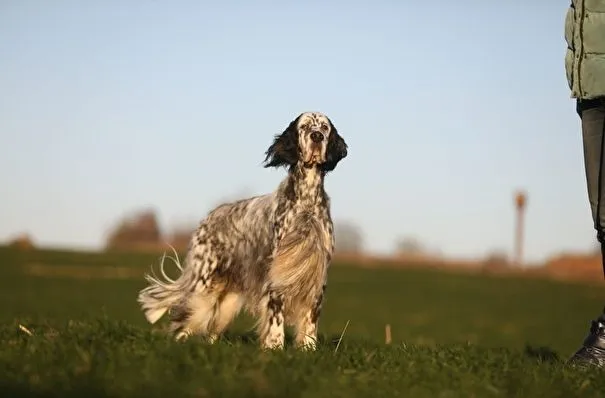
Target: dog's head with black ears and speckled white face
{"points": [[311, 140]]}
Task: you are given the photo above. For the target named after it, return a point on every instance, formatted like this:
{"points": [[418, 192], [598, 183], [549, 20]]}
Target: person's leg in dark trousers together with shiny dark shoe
{"points": [[592, 114]]}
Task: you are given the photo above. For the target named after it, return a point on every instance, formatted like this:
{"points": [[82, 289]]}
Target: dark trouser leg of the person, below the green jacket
{"points": [[592, 114]]}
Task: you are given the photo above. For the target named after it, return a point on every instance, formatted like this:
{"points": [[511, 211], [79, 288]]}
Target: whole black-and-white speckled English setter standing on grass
{"points": [[268, 254]]}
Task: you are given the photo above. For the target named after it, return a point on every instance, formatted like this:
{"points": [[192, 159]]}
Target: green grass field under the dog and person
{"points": [[454, 335]]}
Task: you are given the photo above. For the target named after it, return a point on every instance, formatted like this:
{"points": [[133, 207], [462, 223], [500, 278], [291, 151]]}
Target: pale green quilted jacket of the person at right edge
{"points": [[585, 56]]}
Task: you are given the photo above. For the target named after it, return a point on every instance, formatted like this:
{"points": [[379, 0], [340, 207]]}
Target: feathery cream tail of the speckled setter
{"points": [[160, 295]]}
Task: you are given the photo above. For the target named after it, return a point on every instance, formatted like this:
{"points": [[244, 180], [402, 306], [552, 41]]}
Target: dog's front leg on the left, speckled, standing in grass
{"points": [[272, 334]]}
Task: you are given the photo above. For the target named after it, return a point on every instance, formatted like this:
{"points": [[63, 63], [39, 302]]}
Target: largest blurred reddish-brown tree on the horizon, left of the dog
{"points": [[139, 230]]}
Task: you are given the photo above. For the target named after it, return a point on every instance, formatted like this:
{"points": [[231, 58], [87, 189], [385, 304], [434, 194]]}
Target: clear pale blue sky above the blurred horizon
{"points": [[447, 107]]}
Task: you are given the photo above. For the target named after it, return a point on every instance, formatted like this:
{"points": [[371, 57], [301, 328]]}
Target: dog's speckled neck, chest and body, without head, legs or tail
{"points": [[286, 235]]}
